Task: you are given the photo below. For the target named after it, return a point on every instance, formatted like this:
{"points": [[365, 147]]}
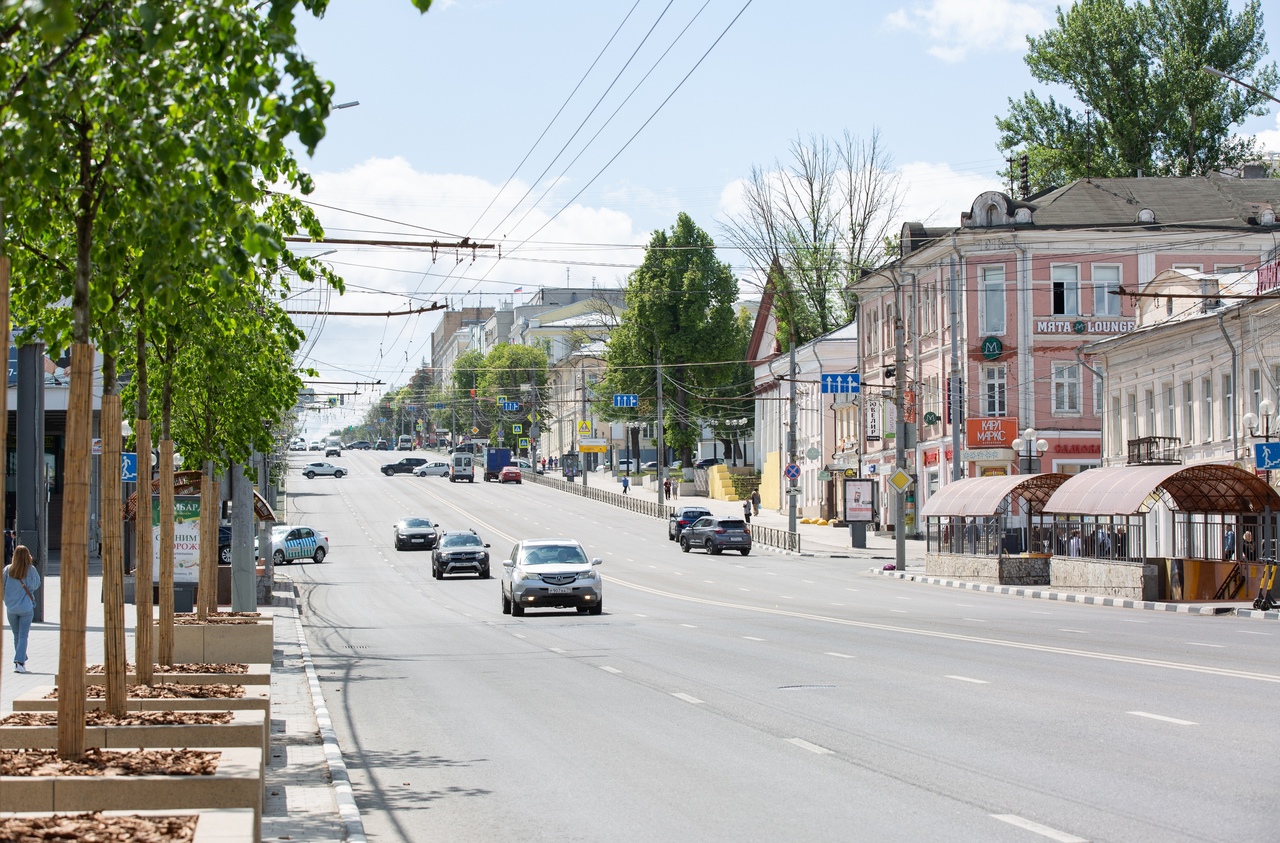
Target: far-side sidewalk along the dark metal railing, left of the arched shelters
{"points": [[816, 540]]}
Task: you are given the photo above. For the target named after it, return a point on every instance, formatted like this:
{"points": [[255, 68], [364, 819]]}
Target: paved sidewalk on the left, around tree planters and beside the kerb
{"points": [[300, 801]]}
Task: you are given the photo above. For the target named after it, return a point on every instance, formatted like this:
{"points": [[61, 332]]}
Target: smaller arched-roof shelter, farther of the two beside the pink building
{"points": [[991, 529]]}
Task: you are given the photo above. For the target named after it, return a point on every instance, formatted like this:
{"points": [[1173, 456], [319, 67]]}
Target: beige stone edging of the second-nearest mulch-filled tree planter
{"points": [[237, 784]]}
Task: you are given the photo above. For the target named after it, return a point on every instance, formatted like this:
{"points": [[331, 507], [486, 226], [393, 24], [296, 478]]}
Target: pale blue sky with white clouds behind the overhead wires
{"points": [[454, 100]]}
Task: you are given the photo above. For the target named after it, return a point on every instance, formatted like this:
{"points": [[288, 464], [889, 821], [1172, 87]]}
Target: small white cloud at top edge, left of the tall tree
{"points": [[958, 28]]}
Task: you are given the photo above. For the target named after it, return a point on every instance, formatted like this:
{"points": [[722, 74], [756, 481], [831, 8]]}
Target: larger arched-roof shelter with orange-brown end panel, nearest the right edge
{"points": [[1163, 533]]}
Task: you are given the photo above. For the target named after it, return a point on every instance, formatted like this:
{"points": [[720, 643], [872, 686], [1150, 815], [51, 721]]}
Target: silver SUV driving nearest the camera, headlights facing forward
{"points": [[552, 574]]}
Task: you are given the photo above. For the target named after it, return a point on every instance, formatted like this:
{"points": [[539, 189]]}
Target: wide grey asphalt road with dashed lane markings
{"points": [[765, 698]]}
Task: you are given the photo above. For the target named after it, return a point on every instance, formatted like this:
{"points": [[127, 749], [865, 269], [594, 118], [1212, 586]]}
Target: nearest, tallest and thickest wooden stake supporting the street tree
{"points": [[75, 556]]}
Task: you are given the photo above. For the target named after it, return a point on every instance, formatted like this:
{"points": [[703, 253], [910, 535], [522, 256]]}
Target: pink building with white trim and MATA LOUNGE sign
{"points": [[1035, 282]]}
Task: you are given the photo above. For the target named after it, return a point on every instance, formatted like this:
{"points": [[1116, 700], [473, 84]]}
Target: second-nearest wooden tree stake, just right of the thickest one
{"points": [[113, 556]]}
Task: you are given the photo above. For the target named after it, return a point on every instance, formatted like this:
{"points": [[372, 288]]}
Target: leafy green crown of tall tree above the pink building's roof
{"points": [[1137, 68]]}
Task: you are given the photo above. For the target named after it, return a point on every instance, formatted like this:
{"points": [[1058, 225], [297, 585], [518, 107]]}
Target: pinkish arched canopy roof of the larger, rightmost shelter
{"points": [[1133, 489]]}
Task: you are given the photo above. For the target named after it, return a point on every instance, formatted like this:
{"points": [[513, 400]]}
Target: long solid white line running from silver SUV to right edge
{"points": [[956, 636]]}
